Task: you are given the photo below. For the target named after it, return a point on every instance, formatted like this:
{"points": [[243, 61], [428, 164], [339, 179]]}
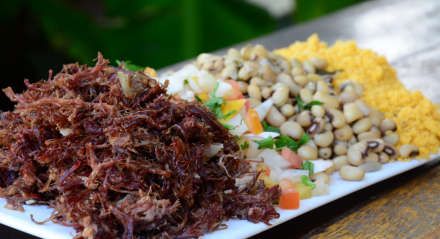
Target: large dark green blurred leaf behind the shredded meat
{"points": [[154, 33]]}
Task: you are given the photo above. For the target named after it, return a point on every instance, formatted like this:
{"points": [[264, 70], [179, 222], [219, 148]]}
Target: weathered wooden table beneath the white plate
{"points": [[407, 32]]}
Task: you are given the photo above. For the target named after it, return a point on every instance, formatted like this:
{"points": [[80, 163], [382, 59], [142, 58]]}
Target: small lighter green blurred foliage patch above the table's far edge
{"points": [[310, 9]]}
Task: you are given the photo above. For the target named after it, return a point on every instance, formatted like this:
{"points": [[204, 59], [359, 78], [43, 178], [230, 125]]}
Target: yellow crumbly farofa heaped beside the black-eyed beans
{"points": [[417, 118]]}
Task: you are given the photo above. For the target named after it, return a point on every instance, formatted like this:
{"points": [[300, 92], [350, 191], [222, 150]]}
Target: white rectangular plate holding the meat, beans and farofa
{"points": [[236, 228]]}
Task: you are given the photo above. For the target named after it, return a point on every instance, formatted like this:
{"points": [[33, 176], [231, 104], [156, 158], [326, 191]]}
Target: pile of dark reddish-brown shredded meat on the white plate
{"points": [[116, 157]]}
